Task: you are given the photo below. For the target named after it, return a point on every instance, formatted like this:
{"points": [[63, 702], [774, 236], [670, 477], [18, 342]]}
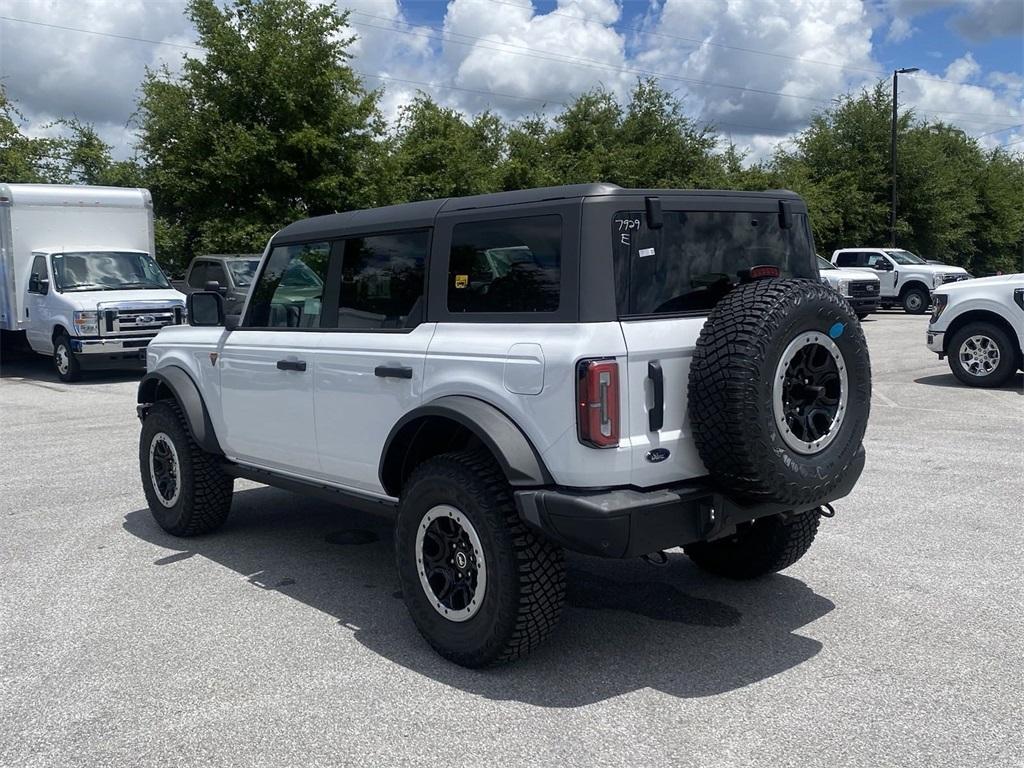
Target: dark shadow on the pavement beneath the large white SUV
{"points": [[627, 625]]}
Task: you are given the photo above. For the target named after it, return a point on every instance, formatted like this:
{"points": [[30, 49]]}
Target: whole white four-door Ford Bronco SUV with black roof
{"points": [[611, 371]]}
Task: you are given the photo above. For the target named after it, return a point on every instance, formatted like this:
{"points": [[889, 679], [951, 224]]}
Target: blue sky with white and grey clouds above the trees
{"points": [[756, 69]]}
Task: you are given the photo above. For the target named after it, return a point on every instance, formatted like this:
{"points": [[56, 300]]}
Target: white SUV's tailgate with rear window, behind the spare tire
{"points": [[668, 281]]}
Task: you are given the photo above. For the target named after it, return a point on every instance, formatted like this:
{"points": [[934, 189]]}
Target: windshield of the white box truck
{"points": [[107, 271]]}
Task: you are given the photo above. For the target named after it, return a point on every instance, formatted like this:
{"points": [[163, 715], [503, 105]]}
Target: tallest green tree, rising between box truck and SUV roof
{"points": [[271, 125]]}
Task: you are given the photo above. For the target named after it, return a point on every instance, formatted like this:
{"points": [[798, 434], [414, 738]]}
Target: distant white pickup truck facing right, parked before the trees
{"points": [[907, 279]]}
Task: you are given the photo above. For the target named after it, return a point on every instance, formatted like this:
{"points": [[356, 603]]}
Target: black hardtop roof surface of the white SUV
{"points": [[423, 214]]}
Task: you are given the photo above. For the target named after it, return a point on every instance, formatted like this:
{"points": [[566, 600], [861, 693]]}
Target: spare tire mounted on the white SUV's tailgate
{"points": [[780, 392]]}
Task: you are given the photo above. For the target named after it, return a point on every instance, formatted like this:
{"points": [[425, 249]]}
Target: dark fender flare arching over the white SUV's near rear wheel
{"points": [[517, 456]]}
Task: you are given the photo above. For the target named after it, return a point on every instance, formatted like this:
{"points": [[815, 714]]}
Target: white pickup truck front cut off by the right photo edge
{"points": [[978, 326]]}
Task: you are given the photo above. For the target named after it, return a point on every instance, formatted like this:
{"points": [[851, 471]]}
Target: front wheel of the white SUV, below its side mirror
{"points": [[188, 492]]}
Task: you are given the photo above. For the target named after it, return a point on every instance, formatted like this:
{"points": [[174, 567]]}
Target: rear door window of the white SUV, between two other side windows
{"points": [[382, 281]]}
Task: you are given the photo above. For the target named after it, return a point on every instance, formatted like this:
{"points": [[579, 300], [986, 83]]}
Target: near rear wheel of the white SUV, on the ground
{"points": [[481, 586]]}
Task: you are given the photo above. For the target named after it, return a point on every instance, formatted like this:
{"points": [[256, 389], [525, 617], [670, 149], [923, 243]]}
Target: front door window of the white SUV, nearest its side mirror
{"points": [[290, 291]]}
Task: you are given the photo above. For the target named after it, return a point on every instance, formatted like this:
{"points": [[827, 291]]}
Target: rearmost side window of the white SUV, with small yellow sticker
{"points": [[506, 266]]}
